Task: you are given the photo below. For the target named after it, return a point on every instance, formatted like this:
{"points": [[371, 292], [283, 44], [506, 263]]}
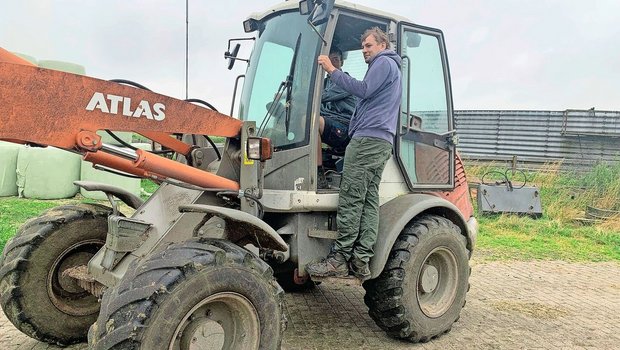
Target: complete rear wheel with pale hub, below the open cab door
{"points": [[421, 291]]}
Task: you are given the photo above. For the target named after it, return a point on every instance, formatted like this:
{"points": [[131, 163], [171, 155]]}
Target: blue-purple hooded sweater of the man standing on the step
{"points": [[376, 113]]}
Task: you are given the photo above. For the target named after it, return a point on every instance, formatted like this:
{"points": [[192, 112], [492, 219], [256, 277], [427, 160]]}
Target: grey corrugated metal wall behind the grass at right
{"points": [[577, 138]]}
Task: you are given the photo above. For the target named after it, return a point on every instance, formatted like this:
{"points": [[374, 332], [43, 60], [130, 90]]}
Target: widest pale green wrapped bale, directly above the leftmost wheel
{"points": [[47, 173]]}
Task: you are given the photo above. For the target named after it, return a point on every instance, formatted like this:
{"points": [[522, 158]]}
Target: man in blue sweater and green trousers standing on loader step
{"points": [[372, 130]]}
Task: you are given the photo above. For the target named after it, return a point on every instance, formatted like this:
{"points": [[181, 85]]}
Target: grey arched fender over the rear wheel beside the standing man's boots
{"points": [[398, 212]]}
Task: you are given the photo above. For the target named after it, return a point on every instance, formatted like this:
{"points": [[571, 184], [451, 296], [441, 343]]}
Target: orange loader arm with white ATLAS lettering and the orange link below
{"points": [[53, 108]]}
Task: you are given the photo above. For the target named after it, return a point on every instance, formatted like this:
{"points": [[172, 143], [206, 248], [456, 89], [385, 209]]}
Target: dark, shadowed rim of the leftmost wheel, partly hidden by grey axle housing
{"points": [[63, 291]]}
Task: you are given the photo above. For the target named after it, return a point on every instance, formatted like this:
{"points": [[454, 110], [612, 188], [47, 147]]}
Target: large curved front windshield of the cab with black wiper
{"points": [[270, 64]]}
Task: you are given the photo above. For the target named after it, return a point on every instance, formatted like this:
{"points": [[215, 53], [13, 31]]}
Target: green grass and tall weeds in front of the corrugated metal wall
{"points": [[557, 235]]}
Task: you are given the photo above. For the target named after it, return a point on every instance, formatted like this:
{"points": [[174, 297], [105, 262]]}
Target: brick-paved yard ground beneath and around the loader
{"points": [[515, 305]]}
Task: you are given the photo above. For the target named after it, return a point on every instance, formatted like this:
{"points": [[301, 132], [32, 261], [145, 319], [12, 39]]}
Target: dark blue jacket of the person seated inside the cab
{"points": [[337, 104]]}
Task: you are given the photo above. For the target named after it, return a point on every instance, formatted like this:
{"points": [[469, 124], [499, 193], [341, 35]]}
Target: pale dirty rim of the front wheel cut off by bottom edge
{"points": [[224, 320]]}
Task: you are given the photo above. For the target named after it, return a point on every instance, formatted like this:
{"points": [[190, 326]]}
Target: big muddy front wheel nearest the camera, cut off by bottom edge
{"points": [[198, 293]]}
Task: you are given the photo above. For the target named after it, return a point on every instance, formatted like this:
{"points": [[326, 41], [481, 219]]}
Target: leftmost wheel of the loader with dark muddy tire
{"points": [[34, 295]]}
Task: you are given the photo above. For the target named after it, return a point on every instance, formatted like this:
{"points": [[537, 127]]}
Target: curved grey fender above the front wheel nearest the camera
{"points": [[241, 226]]}
